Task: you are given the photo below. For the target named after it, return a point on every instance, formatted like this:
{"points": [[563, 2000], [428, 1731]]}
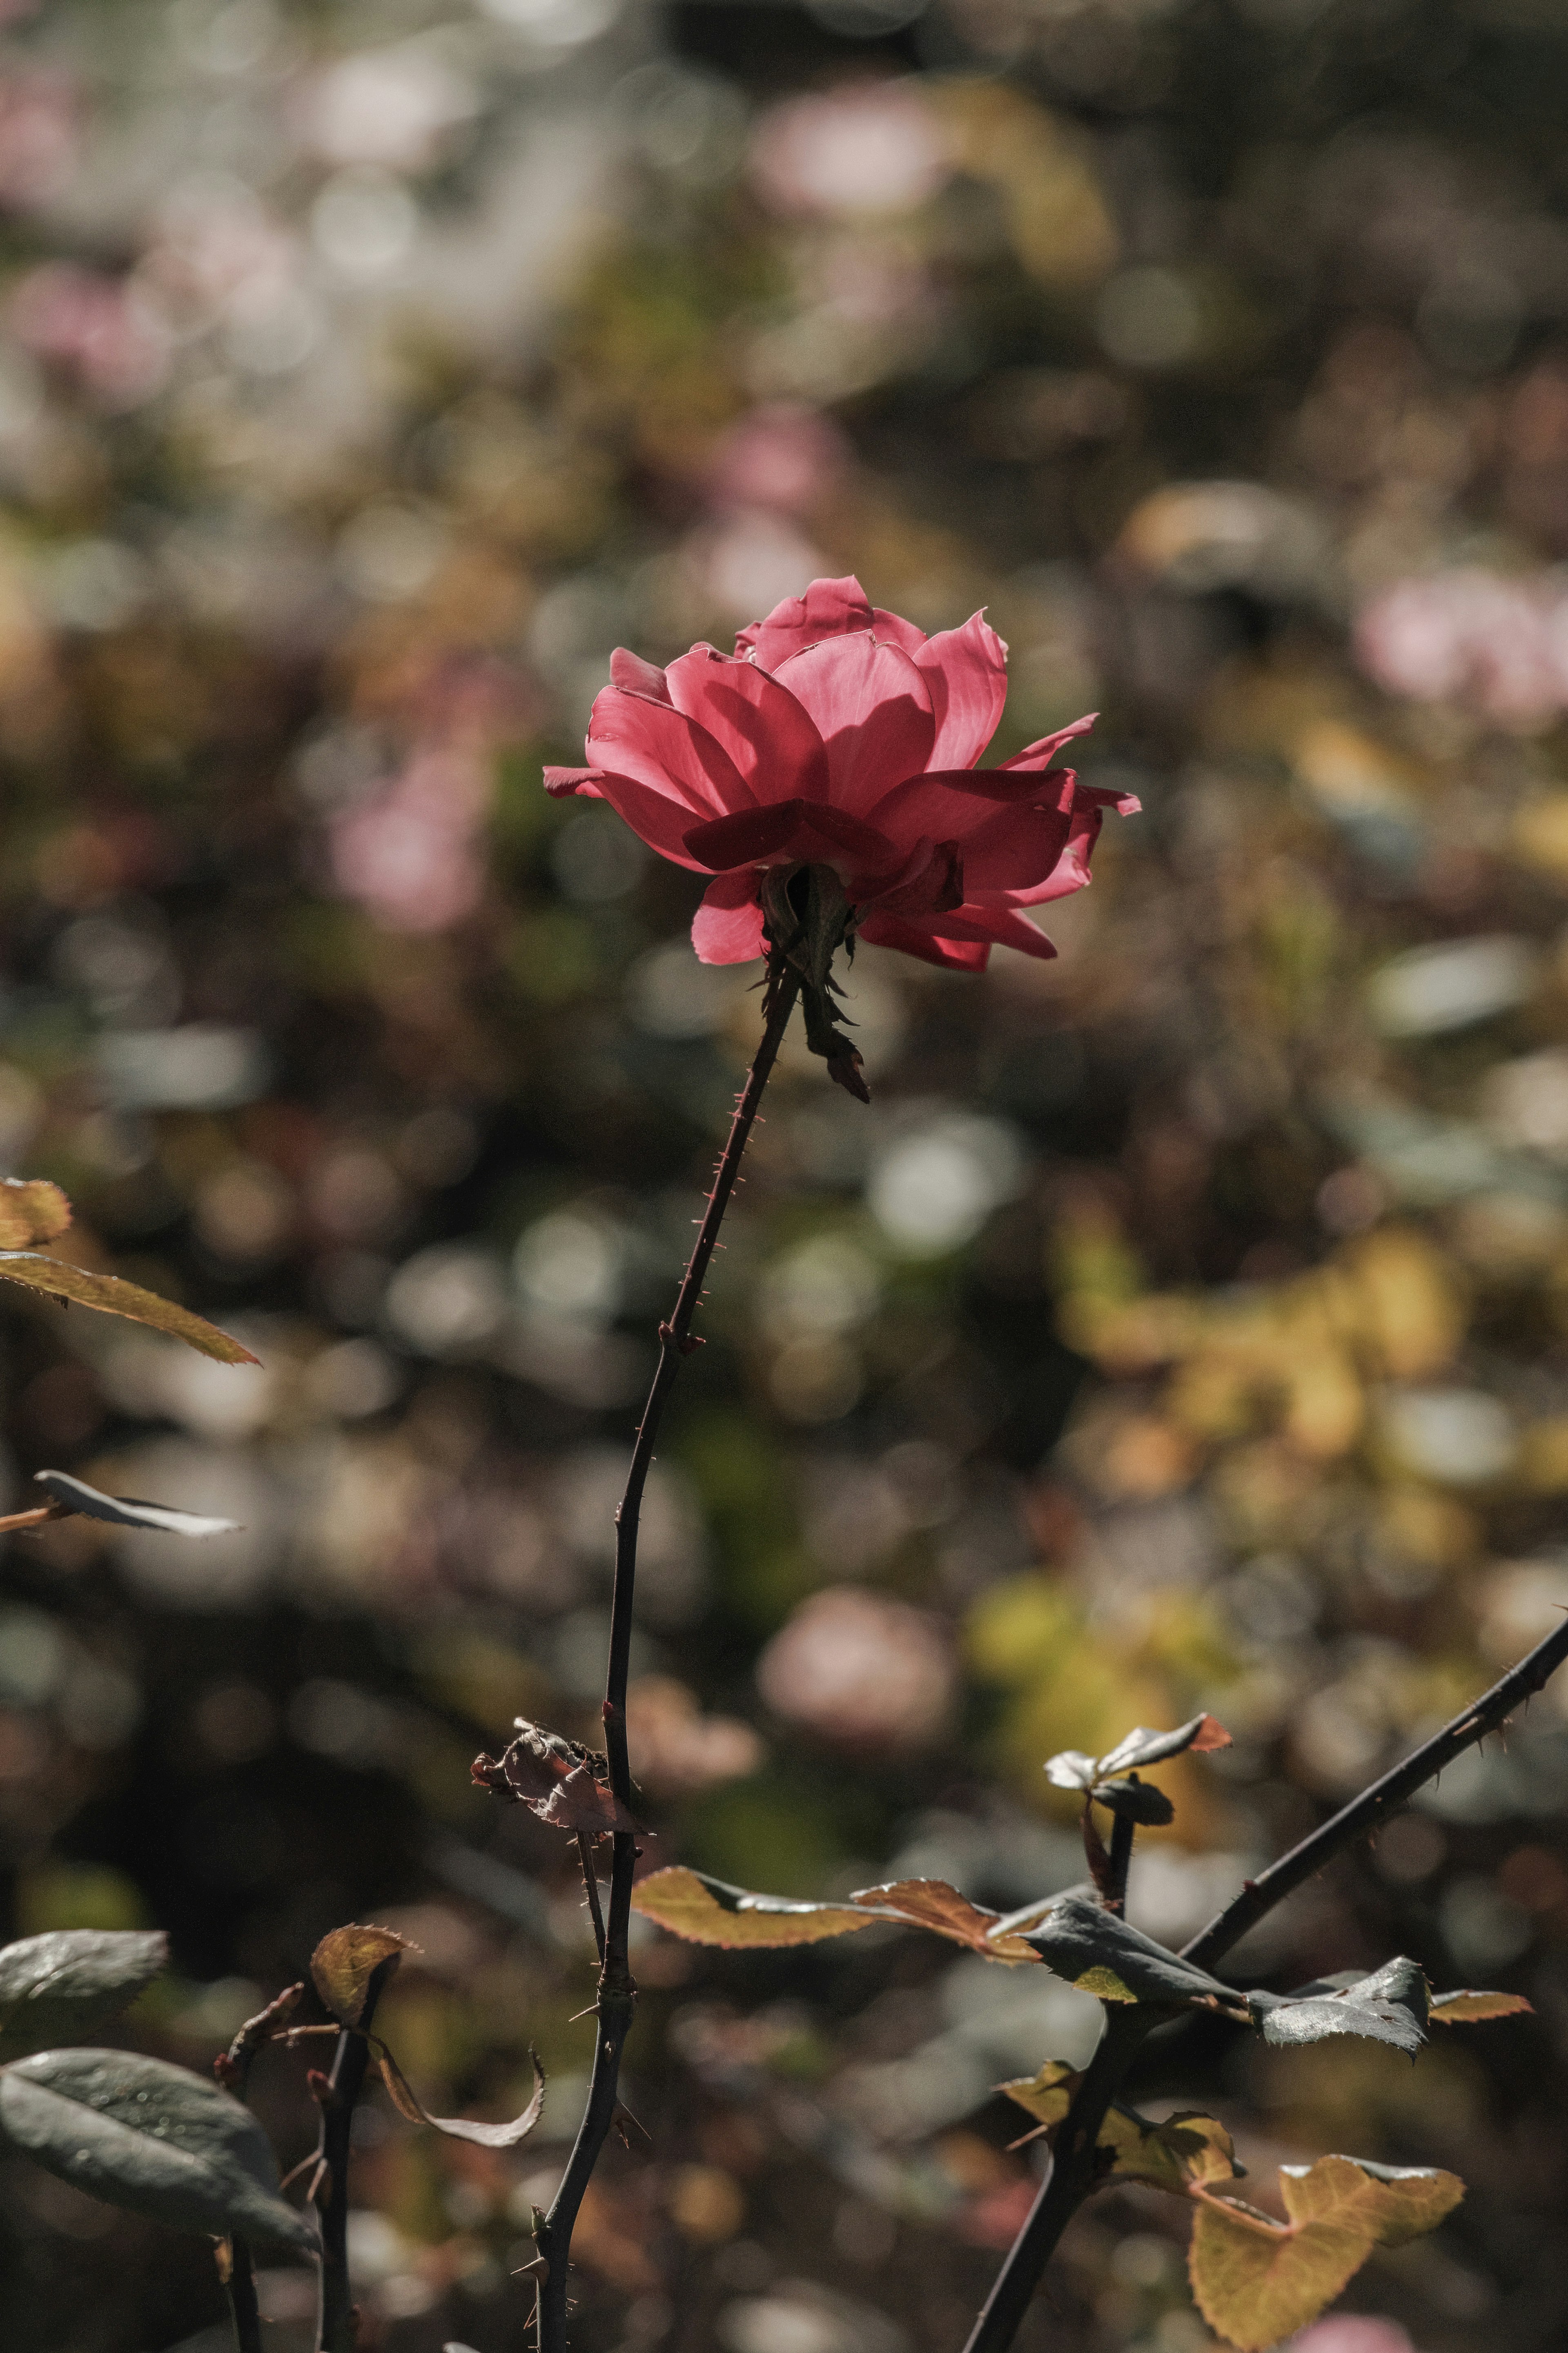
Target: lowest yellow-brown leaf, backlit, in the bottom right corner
{"points": [[1259, 2281]]}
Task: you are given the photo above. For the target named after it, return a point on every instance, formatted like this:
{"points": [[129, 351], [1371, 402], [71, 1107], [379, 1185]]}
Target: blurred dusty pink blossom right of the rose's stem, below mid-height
{"points": [[862, 1672]]}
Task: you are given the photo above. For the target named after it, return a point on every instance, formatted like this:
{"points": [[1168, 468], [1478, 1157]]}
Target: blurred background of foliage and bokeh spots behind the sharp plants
{"points": [[1184, 1326]]}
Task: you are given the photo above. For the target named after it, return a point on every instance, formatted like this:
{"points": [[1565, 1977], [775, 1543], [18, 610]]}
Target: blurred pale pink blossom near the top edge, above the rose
{"points": [[871, 147]]}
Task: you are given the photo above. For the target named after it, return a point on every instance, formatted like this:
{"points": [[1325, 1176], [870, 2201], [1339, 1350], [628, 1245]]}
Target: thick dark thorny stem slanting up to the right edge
{"points": [[1073, 2171]]}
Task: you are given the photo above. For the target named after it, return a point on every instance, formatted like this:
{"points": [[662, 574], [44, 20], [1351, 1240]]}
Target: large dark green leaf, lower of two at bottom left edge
{"points": [[149, 2138]]}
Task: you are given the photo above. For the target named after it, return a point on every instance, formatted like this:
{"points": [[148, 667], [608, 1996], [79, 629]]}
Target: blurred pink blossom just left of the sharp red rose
{"points": [[410, 853]]}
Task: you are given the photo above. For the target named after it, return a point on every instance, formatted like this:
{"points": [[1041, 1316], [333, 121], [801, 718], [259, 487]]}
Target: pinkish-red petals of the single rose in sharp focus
{"points": [[838, 735]]}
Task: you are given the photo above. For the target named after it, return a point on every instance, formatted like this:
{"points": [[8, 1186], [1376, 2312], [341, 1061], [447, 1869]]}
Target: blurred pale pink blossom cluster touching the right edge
{"points": [[1473, 636]]}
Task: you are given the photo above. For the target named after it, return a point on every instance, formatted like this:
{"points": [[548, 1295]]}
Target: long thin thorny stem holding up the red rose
{"points": [[617, 1989]]}
